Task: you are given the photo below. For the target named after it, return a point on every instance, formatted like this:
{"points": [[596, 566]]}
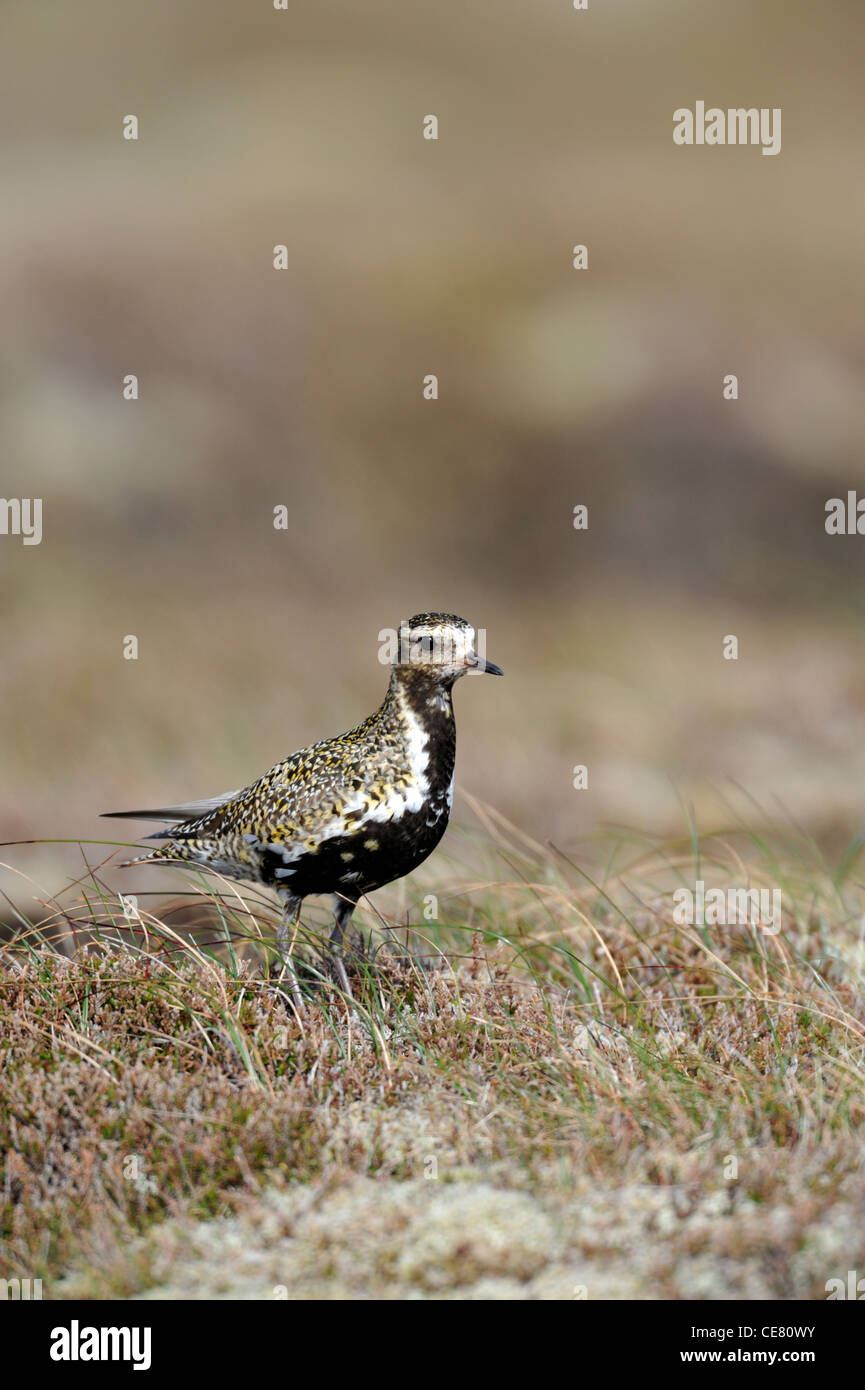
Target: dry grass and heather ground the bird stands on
{"points": [[553, 1090]]}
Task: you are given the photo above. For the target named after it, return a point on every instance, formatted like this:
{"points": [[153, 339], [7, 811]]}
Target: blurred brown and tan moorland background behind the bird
{"points": [[305, 389]]}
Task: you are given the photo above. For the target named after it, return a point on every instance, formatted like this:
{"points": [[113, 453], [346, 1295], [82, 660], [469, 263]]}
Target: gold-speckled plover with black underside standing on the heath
{"points": [[347, 815]]}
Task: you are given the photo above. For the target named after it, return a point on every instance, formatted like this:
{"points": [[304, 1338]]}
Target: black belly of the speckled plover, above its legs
{"points": [[348, 865]]}
